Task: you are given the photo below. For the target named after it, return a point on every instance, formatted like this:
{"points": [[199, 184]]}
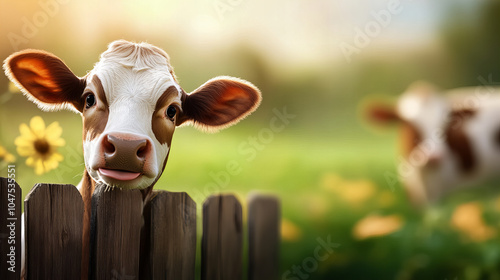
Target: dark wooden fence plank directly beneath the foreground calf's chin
{"points": [[115, 232]]}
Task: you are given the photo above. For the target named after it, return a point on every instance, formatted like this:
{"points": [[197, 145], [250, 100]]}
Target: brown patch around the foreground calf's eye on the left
{"points": [[95, 118]]}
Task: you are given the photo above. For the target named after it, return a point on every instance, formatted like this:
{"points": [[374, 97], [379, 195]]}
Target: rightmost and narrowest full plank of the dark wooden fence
{"points": [[263, 237]]}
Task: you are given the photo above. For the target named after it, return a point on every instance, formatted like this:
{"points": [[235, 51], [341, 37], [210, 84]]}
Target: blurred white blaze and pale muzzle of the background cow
{"points": [[429, 162]]}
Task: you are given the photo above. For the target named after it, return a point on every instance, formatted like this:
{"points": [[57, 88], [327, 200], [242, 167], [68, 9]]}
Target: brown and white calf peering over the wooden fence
{"points": [[130, 104]]}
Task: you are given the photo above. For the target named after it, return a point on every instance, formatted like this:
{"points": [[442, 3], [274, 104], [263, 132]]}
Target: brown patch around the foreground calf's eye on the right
{"points": [[163, 127]]}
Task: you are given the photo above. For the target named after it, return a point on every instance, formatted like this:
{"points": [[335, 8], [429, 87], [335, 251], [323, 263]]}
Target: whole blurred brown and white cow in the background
{"points": [[449, 140]]}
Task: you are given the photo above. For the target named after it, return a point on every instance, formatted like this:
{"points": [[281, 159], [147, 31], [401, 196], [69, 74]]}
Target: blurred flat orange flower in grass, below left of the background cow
{"points": [[375, 225]]}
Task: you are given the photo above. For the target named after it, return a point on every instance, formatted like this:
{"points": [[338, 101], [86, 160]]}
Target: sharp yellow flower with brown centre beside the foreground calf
{"points": [[39, 144]]}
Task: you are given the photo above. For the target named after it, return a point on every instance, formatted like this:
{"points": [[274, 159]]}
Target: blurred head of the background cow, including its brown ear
{"points": [[433, 145]]}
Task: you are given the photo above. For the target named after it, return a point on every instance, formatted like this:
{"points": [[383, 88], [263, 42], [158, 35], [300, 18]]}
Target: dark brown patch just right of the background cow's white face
{"points": [[457, 139]]}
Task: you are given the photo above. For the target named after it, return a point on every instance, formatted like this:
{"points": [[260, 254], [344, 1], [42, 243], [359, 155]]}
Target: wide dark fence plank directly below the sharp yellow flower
{"points": [[53, 230]]}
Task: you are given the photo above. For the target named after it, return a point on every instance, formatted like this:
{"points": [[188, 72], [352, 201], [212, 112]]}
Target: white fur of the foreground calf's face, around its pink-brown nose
{"points": [[132, 90]]}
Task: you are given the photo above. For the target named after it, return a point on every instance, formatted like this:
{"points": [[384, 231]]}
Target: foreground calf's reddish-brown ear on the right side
{"points": [[219, 103]]}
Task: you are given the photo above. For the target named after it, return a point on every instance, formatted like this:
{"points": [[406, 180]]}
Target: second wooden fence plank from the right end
{"points": [[222, 240]]}
